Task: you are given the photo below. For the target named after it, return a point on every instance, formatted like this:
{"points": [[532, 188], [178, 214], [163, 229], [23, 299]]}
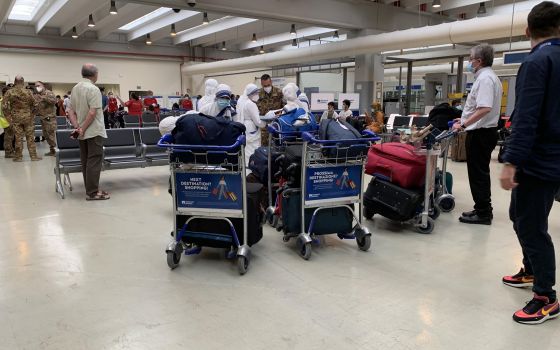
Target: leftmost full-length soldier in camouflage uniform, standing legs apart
{"points": [[19, 103]]}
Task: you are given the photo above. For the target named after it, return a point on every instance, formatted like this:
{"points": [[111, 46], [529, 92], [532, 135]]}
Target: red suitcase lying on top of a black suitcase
{"points": [[397, 163]]}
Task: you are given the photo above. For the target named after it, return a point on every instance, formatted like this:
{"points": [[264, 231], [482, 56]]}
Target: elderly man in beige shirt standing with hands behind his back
{"points": [[86, 115]]}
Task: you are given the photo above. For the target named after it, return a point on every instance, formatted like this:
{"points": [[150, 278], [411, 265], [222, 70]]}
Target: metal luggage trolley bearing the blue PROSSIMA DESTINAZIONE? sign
{"points": [[332, 178]]}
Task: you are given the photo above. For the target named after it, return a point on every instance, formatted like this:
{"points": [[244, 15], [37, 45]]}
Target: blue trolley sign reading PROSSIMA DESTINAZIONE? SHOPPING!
{"points": [[333, 182]]}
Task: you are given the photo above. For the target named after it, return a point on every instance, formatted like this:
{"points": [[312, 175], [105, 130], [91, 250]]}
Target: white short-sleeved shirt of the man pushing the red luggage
{"points": [[486, 92]]}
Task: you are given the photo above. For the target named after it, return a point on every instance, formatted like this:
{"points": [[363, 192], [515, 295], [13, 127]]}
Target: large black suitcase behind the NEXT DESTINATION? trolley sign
{"points": [[220, 228]]}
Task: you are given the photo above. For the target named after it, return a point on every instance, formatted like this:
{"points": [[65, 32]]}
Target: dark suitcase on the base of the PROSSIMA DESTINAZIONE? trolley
{"points": [[327, 221]]}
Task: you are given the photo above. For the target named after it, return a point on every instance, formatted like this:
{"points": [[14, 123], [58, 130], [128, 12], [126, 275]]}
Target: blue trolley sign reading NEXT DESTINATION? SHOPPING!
{"points": [[209, 191]]}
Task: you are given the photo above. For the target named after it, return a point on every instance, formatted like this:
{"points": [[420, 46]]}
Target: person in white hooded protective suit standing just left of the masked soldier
{"points": [[248, 114]]}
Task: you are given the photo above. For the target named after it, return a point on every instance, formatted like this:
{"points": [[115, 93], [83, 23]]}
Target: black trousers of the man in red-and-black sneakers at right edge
{"points": [[530, 206]]}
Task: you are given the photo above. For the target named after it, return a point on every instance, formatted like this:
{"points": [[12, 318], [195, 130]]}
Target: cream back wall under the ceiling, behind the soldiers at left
{"points": [[163, 77]]}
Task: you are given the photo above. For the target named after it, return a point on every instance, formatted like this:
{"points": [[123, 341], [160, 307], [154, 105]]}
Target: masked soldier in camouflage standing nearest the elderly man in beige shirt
{"points": [[46, 109]]}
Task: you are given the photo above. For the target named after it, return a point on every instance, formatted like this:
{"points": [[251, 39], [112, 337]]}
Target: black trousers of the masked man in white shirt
{"points": [[479, 144]]}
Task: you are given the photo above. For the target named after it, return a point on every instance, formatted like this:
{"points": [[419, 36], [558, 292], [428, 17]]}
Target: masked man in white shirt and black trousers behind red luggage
{"points": [[480, 119]]}
